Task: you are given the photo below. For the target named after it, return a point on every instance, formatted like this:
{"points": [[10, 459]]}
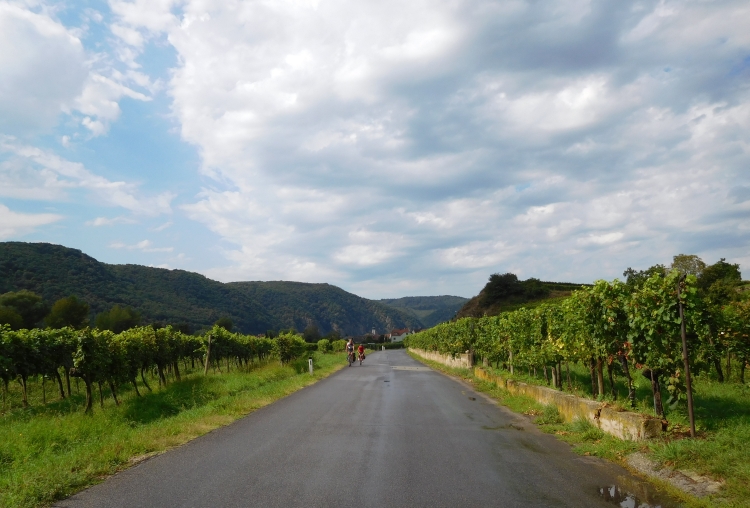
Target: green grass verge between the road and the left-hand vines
{"points": [[48, 452]]}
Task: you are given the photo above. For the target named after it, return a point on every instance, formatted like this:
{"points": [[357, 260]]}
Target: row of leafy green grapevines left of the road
{"points": [[103, 358]]}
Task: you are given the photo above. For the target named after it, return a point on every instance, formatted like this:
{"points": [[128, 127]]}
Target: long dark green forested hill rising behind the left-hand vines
{"points": [[178, 296]]}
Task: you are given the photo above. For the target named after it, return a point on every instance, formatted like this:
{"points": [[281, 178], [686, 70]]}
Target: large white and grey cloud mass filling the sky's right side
{"points": [[404, 146]]}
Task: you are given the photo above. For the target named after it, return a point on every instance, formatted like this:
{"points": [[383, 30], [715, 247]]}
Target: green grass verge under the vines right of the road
{"points": [[719, 451]]}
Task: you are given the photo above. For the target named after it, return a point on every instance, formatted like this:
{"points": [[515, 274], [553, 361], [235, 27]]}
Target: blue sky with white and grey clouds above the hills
{"points": [[390, 148]]}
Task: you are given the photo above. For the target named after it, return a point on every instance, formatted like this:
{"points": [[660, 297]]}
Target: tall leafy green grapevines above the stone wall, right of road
{"points": [[621, 326]]}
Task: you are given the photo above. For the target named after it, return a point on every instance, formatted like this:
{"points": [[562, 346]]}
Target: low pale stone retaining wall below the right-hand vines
{"points": [[621, 424]]}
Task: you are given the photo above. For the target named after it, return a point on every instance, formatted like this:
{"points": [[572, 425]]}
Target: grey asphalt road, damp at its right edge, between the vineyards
{"points": [[388, 433]]}
